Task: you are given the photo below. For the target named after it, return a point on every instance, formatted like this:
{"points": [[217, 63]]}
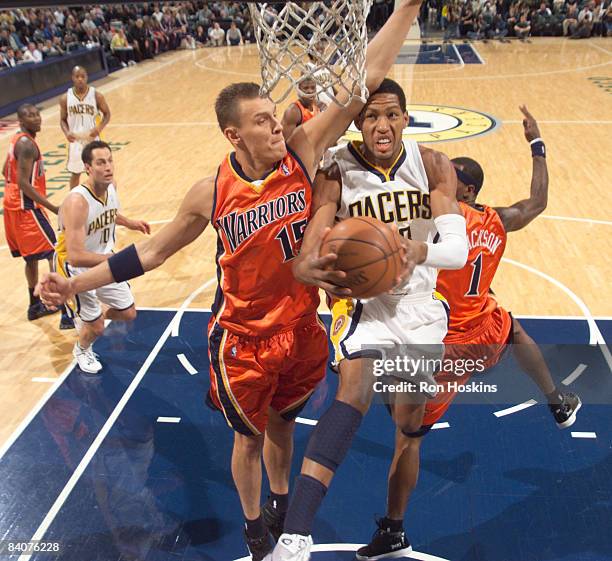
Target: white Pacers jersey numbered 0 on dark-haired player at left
{"points": [[101, 218]]}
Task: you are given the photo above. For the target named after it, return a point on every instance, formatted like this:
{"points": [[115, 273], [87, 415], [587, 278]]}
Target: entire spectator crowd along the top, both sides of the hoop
{"points": [[130, 33]]}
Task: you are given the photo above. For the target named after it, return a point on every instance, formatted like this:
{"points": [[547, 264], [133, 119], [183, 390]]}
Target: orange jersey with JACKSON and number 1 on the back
{"points": [[467, 289]]}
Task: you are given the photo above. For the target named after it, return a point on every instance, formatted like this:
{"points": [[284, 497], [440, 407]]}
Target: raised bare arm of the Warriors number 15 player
{"points": [[315, 136]]}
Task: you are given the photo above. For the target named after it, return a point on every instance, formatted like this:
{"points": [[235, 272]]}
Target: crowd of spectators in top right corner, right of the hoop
{"points": [[499, 19]]}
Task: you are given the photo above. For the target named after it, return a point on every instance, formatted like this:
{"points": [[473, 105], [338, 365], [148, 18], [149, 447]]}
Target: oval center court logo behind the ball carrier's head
{"points": [[439, 123]]}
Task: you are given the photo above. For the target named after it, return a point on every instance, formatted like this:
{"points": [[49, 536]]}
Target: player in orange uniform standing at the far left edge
{"points": [[28, 231]]}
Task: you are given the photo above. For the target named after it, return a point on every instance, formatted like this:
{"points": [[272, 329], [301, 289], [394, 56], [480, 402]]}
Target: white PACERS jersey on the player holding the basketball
{"points": [[399, 194]]}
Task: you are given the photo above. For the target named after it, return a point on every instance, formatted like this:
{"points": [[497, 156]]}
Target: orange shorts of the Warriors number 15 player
{"points": [[249, 375]]}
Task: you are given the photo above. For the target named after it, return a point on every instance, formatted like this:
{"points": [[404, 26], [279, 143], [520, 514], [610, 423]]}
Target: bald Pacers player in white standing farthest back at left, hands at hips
{"points": [[80, 108]]}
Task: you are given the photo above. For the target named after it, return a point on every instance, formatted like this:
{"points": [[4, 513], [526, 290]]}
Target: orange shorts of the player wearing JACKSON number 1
{"points": [[488, 344]]}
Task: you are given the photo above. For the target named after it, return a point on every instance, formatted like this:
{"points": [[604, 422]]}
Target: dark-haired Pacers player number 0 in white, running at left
{"points": [[87, 220]]}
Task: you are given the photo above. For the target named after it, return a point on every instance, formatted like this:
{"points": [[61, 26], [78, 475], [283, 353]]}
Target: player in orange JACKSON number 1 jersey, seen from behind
{"points": [[479, 328]]}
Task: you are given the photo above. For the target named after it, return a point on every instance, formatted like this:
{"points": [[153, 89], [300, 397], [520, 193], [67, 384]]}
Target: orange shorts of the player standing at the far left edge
{"points": [[29, 234]]}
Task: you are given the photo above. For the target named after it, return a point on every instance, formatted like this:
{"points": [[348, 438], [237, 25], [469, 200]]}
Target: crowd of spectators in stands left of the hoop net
{"points": [[128, 33]]}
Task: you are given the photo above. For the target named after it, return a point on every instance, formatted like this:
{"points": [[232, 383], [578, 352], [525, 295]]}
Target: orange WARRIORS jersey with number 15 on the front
{"points": [[260, 225]]}
